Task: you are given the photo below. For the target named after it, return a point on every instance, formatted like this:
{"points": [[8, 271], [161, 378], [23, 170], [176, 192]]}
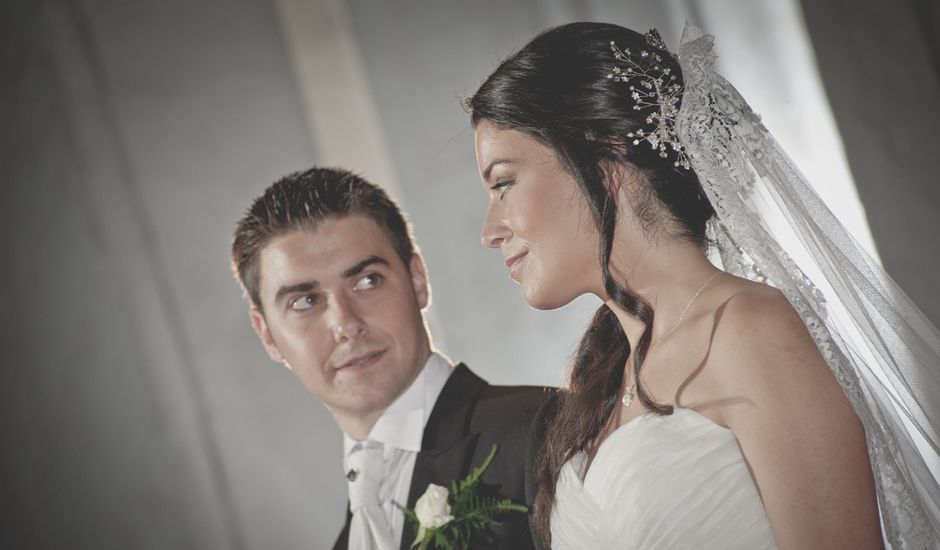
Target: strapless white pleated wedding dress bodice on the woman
{"points": [[658, 482]]}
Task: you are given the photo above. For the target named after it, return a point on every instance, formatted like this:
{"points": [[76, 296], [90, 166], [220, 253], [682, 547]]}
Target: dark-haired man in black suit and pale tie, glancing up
{"points": [[337, 292]]}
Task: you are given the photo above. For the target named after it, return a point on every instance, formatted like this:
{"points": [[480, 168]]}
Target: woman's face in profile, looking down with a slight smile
{"points": [[537, 218]]}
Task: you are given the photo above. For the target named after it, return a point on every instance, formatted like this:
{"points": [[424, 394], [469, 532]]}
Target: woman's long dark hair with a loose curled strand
{"points": [[556, 90]]}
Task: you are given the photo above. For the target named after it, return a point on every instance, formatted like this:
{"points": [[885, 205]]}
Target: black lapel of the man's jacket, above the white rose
{"points": [[447, 445]]}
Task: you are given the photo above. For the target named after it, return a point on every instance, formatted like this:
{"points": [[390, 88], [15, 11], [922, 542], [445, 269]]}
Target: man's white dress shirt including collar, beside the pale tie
{"points": [[400, 429]]}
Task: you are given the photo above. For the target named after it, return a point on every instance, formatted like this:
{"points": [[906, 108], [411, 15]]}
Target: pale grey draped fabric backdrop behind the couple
{"points": [[138, 409]]}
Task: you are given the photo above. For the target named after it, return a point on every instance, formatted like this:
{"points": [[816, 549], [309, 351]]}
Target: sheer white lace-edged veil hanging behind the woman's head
{"points": [[883, 350]]}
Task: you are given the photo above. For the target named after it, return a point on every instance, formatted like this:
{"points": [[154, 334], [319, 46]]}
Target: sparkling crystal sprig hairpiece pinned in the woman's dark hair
{"points": [[653, 87]]}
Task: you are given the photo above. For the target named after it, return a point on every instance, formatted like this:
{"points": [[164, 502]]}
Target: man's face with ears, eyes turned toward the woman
{"points": [[343, 311]]}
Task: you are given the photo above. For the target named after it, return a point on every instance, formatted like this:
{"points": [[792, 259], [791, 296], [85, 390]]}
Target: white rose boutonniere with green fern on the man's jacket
{"points": [[447, 519]]}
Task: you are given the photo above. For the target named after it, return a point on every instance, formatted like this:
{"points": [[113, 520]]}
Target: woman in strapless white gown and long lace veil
{"points": [[705, 408]]}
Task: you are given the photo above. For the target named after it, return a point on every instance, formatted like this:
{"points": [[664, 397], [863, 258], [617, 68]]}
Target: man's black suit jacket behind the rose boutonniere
{"points": [[469, 417]]}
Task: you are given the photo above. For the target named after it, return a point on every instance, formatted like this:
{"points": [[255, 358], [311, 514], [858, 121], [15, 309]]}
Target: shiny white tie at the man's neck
{"points": [[368, 529]]}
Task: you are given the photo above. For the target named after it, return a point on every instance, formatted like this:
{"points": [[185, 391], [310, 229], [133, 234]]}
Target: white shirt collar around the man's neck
{"points": [[401, 426]]}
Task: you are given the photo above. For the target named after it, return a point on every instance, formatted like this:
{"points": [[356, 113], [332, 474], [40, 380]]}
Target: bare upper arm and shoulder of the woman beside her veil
{"points": [[797, 430]]}
